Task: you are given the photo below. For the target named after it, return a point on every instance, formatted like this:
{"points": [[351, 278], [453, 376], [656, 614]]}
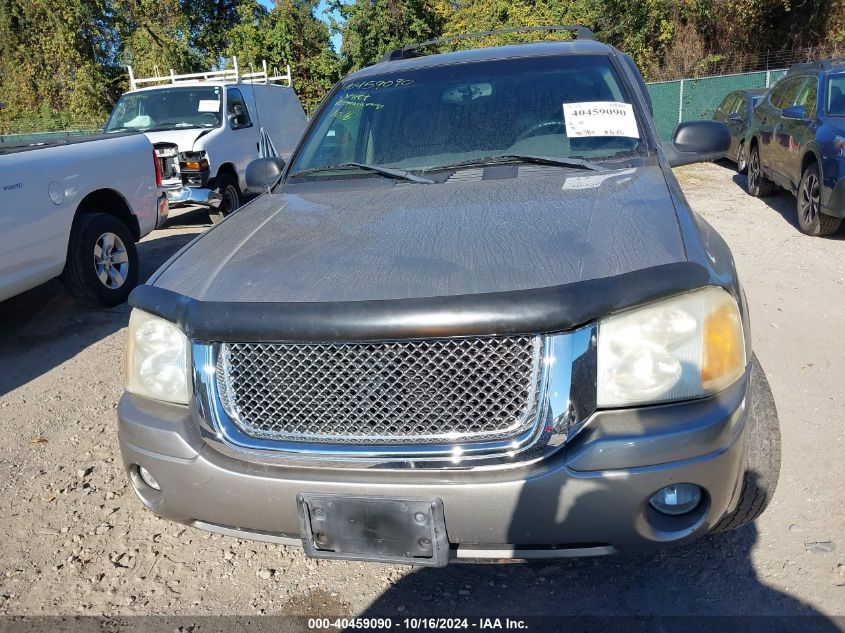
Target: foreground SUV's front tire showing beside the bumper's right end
{"points": [[762, 449]]}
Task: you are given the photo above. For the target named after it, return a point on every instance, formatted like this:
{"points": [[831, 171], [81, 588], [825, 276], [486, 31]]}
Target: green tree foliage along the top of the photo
{"points": [[62, 64]]}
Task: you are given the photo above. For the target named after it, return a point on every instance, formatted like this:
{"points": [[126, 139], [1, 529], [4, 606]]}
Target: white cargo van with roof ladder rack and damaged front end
{"points": [[207, 127]]}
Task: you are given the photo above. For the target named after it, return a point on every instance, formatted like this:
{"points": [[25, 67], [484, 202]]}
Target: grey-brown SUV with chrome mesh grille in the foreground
{"points": [[475, 319]]}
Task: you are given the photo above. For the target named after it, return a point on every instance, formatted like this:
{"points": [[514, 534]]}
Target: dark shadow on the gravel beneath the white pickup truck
{"points": [[44, 327]]}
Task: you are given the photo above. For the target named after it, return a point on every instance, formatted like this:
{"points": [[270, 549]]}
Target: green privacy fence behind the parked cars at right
{"points": [[691, 99]]}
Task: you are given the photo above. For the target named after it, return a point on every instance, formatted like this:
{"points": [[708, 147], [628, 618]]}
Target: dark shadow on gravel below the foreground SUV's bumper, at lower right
{"points": [[713, 576]]}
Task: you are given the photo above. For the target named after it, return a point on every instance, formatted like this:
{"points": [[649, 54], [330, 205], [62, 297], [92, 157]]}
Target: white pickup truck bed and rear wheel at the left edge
{"points": [[74, 209]]}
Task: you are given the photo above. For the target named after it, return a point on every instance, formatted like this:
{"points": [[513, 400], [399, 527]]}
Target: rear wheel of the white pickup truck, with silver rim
{"points": [[102, 261]]}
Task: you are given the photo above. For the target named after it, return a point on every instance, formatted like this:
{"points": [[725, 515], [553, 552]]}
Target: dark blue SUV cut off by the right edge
{"points": [[797, 141]]}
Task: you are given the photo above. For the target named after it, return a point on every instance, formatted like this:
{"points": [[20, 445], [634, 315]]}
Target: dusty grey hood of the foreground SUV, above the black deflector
{"points": [[481, 231]]}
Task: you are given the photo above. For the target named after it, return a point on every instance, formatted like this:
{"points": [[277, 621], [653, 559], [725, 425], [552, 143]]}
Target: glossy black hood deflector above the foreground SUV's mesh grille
{"points": [[551, 309]]}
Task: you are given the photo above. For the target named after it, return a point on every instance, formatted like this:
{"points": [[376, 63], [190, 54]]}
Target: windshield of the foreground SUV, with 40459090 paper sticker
{"points": [[564, 107]]}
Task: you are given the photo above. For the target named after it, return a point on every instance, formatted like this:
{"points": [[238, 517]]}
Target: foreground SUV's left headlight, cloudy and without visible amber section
{"points": [[157, 359]]}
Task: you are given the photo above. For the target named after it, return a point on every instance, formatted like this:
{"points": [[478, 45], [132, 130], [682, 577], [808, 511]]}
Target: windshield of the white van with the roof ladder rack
{"points": [[167, 109]]}
